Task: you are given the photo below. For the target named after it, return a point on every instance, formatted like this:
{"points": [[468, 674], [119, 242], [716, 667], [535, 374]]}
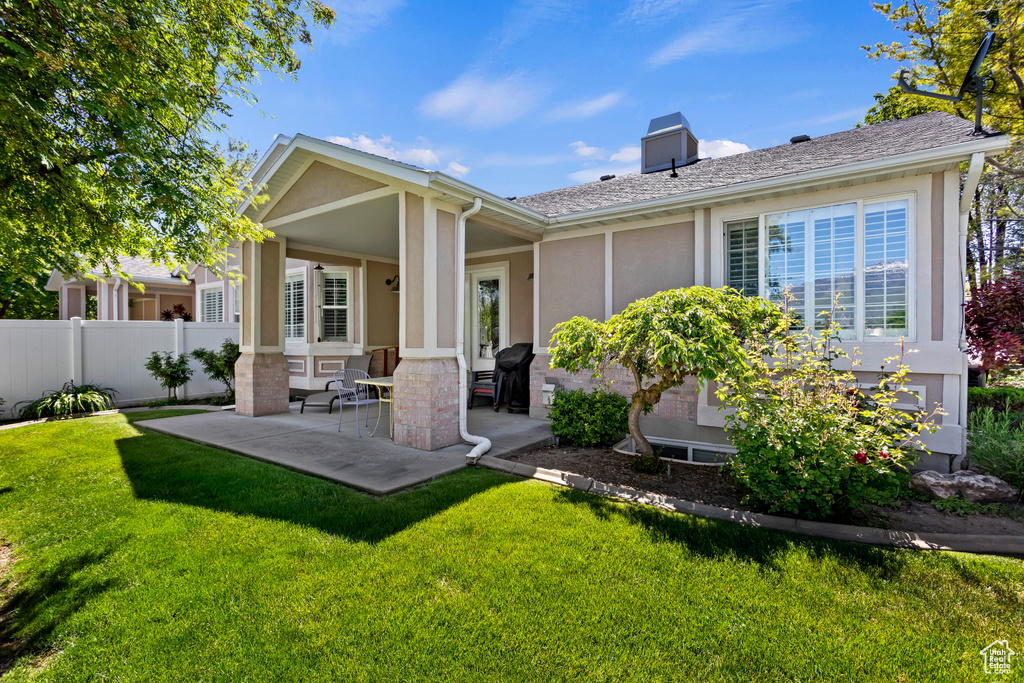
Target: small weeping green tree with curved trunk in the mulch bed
{"points": [[696, 332]]}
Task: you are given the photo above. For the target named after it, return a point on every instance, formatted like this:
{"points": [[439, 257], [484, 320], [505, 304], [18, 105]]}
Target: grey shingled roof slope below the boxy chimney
{"points": [[925, 132]]}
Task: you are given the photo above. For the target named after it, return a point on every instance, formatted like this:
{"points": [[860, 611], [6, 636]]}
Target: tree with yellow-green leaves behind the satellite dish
{"points": [[942, 39]]}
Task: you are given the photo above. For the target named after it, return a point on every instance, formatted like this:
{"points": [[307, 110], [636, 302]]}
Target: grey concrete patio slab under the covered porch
{"points": [[311, 444]]}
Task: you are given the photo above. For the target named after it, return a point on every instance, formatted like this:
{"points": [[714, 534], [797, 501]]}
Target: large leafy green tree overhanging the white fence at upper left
{"points": [[107, 115]]}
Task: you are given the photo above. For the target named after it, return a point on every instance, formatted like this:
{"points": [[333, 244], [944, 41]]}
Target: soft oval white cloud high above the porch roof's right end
{"points": [[484, 104]]}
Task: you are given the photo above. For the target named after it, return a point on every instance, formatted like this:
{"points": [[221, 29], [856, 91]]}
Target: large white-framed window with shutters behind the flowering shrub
{"points": [[859, 251]]}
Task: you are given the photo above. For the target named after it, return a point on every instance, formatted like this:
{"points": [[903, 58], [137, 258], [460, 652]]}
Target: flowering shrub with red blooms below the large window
{"points": [[809, 442]]}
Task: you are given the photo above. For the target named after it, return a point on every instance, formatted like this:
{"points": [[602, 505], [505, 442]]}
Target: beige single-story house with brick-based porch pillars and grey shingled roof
{"points": [[370, 251]]}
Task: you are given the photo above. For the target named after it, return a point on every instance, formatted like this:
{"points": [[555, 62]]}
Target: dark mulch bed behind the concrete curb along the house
{"points": [[713, 486]]}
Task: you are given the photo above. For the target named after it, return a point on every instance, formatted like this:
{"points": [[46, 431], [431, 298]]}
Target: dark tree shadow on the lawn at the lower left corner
{"points": [[32, 613]]}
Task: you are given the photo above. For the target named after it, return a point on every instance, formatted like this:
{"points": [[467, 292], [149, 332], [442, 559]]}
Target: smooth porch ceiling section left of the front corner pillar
{"points": [[369, 228]]}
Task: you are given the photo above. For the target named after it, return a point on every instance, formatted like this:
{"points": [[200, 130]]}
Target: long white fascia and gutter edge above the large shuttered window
{"points": [[956, 153]]}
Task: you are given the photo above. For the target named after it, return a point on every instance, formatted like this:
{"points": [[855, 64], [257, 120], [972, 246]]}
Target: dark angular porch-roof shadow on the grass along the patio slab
{"points": [[163, 468]]}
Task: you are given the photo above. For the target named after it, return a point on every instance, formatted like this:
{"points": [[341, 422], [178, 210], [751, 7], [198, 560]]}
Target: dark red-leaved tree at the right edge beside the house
{"points": [[995, 323]]}
